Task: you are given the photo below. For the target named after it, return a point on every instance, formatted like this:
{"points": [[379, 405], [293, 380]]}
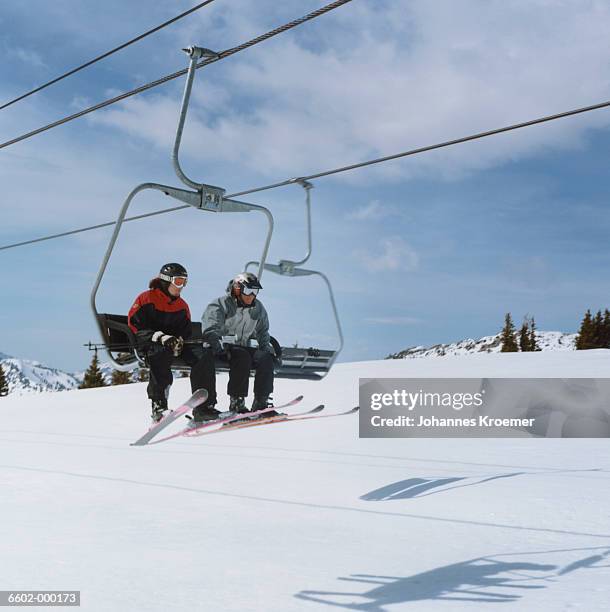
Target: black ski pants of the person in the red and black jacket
{"points": [[159, 359]]}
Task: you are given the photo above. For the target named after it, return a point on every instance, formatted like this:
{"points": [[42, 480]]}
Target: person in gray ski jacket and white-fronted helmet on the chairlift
{"points": [[240, 314]]}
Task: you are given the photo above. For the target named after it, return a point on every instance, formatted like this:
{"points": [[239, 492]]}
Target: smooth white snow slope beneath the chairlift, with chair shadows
{"points": [[303, 516]]}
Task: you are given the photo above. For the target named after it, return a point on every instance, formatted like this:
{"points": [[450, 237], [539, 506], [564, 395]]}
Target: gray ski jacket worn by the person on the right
{"points": [[225, 317]]}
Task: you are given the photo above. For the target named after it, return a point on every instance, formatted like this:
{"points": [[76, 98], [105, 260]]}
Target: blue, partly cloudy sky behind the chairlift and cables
{"points": [[428, 249]]}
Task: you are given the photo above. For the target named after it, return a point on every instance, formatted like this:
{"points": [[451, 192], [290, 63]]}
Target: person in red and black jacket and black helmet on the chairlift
{"points": [[161, 321]]}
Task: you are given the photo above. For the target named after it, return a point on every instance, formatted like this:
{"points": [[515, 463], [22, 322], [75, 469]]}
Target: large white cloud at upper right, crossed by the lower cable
{"points": [[419, 74]]}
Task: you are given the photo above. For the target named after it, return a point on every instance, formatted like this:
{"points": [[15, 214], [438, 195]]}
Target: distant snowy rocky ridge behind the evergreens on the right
{"points": [[547, 341]]}
